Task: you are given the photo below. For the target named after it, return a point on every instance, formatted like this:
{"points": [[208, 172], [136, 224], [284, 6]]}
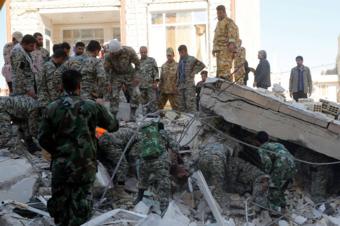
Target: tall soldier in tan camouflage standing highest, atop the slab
{"points": [[226, 39]]}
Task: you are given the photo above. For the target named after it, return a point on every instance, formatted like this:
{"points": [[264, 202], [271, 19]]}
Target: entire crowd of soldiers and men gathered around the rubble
{"points": [[63, 95]]}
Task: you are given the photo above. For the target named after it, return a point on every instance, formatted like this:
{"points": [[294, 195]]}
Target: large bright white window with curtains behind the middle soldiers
{"points": [[171, 29]]}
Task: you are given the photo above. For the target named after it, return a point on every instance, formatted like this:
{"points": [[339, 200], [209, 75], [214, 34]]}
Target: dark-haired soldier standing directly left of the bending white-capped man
{"points": [[93, 73]]}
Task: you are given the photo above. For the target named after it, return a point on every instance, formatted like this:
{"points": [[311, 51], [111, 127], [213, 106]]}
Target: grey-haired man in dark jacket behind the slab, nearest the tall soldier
{"points": [[262, 73]]}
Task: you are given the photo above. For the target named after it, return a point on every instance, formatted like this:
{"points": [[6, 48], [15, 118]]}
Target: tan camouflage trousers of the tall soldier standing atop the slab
{"points": [[224, 60]]}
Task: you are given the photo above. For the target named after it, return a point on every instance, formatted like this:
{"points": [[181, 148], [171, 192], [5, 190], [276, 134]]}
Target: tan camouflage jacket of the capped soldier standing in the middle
{"points": [[168, 78]]}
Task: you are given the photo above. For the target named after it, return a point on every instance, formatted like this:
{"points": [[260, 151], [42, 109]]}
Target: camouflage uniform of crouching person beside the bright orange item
{"points": [[110, 149]]}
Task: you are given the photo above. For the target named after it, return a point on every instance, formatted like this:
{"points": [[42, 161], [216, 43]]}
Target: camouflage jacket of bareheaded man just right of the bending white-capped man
{"points": [[148, 72]]}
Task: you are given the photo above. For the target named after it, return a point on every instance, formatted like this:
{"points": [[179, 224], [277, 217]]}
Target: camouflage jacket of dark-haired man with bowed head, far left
{"points": [[22, 71]]}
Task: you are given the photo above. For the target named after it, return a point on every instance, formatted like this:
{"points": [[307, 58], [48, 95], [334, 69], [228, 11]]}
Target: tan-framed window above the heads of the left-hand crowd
{"points": [[83, 35]]}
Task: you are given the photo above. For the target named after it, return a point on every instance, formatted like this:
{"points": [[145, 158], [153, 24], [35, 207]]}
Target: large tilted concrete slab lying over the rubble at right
{"points": [[288, 124]]}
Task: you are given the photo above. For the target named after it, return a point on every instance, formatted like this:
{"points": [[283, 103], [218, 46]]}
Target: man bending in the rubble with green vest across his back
{"points": [[155, 163]]}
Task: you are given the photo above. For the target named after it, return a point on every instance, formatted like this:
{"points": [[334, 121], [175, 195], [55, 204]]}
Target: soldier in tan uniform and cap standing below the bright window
{"points": [[168, 81]]}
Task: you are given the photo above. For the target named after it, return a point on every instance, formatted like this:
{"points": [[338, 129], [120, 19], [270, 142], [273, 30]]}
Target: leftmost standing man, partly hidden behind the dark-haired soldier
{"points": [[7, 68]]}
